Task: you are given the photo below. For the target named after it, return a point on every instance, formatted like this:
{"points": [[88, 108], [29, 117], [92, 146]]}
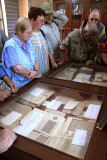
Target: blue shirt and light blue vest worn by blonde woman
{"points": [[15, 54]]}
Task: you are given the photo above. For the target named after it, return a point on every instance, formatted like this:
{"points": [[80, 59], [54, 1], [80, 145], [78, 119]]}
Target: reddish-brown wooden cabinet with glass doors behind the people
{"points": [[78, 10]]}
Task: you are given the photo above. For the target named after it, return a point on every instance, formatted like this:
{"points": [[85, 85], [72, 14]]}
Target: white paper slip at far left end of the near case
{"points": [[10, 118]]}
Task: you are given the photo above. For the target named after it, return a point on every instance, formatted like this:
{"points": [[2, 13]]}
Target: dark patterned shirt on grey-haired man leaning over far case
{"points": [[79, 50]]}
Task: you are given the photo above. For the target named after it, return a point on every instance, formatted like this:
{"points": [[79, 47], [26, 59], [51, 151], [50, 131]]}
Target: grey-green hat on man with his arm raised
{"points": [[47, 8]]}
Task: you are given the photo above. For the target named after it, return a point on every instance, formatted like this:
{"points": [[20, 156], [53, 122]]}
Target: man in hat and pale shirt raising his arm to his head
{"points": [[54, 21]]}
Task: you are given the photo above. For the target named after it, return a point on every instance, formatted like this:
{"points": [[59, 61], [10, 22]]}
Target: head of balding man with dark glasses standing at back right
{"points": [[94, 16]]}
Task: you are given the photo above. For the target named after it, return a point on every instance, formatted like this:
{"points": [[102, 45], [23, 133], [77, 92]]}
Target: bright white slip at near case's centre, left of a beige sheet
{"points": [[54, 104]]}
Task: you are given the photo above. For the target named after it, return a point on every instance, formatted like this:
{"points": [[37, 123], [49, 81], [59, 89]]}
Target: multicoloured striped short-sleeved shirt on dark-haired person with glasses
{"points": [[42, 50]]}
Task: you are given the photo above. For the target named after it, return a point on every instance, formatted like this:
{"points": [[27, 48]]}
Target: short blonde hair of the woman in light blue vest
{"points": [[22, 24]]}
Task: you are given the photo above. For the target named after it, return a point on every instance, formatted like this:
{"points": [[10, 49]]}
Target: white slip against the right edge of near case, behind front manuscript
{"points": [[92, 111]]}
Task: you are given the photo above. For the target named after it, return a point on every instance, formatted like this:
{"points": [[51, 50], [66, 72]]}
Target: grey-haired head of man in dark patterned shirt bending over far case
{"points": [[90, 31]]}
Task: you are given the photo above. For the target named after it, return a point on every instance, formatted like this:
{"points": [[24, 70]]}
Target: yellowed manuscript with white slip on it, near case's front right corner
{"points": [[65, 142]]}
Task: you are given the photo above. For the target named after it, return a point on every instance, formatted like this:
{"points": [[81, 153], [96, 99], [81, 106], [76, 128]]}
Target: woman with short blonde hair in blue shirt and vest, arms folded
{"points": [[18, 57]]}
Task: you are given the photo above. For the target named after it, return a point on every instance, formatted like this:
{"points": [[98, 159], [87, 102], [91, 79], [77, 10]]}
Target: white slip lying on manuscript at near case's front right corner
{"points": [[79, 137]]}
